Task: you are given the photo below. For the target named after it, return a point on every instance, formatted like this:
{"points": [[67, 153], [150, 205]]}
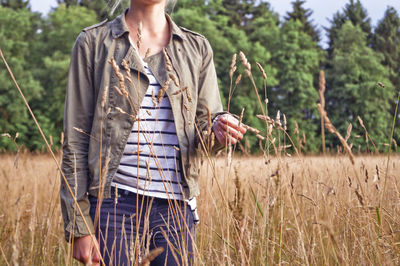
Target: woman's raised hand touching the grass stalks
{"points": [[227, 130]]}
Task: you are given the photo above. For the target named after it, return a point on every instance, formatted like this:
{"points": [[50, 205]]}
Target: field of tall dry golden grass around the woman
{"points": [[256, 211]]}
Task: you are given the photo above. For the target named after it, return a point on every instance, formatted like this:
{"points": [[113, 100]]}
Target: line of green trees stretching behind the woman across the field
{"points": [[361, 64]]}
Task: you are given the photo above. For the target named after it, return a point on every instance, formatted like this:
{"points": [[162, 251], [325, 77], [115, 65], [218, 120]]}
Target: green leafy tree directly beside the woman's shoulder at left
{"points": [[56, 41]]}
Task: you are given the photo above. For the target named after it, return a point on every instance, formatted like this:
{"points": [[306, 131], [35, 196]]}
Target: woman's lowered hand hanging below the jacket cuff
{"points": [[85, 250]]}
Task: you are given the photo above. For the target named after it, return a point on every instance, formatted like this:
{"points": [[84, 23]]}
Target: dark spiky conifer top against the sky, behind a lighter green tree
{"points": [[303, 15]]}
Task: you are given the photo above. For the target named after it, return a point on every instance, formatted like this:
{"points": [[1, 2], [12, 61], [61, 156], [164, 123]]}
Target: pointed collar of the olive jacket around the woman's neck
{"points": [[119, 27]]}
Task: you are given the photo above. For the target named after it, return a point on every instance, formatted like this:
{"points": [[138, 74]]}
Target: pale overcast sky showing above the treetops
{"points": [[323, 9]]}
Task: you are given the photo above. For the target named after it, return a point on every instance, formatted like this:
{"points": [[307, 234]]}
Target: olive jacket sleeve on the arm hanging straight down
{"points": [[78, 114]]}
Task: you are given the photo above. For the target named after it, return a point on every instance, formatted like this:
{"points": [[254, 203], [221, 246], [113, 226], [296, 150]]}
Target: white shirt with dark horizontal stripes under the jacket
{"points": [[150, 164]]}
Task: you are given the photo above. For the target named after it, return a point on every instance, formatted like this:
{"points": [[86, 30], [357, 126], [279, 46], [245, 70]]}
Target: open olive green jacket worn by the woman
{"points": [[98, 120]]}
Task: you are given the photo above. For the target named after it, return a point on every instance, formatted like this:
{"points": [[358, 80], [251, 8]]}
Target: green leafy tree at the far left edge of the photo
{"points": [[15, 33]]}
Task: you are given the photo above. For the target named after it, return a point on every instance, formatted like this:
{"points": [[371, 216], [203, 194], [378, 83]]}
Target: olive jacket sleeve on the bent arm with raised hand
{"points": [[208, 96]]}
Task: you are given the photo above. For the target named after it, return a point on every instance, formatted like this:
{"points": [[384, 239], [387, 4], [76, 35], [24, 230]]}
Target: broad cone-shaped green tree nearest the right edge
{"points": [[352, 87]]}
